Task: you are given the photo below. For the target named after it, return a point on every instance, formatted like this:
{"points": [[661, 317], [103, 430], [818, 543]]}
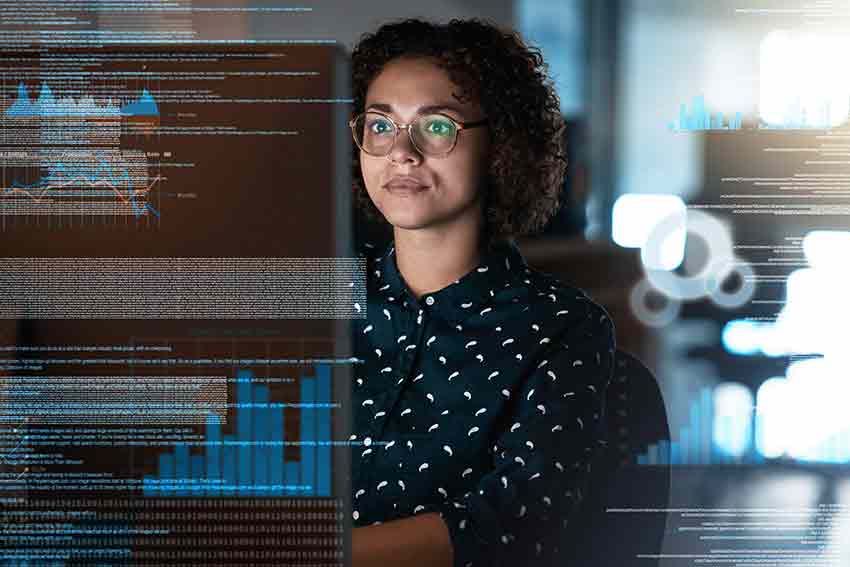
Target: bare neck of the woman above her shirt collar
{"points": [[429, 261]]}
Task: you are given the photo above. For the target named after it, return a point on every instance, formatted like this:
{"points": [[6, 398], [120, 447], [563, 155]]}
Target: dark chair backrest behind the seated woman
{"points": [[603, 532]]}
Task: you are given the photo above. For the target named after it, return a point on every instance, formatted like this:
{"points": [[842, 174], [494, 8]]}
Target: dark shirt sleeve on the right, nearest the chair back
{"points": [[542, 460]]}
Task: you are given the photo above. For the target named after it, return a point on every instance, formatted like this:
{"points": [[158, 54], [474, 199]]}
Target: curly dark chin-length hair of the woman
{"points": [[527, 162]]}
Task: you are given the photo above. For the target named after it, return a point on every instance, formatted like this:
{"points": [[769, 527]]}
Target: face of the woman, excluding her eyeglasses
{"points": [[443, 191]]}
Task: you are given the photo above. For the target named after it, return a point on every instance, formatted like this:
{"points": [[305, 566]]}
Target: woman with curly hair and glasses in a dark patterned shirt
{"points": [[479, 406]]}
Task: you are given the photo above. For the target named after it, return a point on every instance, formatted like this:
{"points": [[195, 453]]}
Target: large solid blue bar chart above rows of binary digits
{"points": [[249, 462]]}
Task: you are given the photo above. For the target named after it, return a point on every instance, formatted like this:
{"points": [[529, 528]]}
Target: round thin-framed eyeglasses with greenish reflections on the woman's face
{"points": [[434, 135]]}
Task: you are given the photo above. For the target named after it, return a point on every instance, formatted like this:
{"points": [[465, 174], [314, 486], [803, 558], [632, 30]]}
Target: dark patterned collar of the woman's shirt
{"points": [[501, 266]]}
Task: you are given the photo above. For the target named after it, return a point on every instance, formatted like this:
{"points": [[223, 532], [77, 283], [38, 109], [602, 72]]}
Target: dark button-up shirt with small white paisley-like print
{"points": [[482, 401]]}
